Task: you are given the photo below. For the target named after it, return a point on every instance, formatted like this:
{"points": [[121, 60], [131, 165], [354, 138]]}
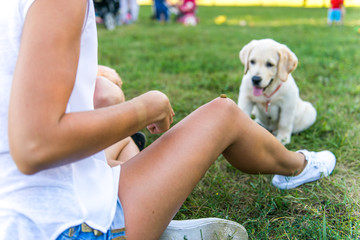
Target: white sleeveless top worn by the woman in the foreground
{"points": [[58, 198]]}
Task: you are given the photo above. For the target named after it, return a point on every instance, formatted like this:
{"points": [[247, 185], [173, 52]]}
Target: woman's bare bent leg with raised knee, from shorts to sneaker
{"points": [[155, 183]]}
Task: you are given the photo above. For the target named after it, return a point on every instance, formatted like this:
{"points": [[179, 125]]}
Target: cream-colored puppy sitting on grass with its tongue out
{"points": [[279, 109]]}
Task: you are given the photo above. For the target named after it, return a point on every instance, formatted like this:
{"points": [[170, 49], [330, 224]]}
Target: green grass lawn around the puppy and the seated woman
{"points": [[193, 65]]}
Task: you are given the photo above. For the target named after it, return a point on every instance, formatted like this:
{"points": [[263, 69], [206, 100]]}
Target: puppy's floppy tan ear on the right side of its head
{"points": [[287, 62]]}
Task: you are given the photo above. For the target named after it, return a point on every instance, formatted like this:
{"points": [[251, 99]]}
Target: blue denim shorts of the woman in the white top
{"points": [[84, 232]]}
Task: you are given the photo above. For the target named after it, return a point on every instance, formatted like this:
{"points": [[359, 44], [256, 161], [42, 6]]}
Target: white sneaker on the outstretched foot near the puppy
{"points": [[320, 164]]}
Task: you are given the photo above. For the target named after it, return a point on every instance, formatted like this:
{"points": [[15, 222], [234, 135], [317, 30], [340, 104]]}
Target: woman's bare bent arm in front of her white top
{"points": [[41, 134]]}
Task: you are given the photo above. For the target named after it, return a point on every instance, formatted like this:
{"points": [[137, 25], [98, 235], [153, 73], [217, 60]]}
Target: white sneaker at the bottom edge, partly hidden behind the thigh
{"points": [[204, 229]]}
